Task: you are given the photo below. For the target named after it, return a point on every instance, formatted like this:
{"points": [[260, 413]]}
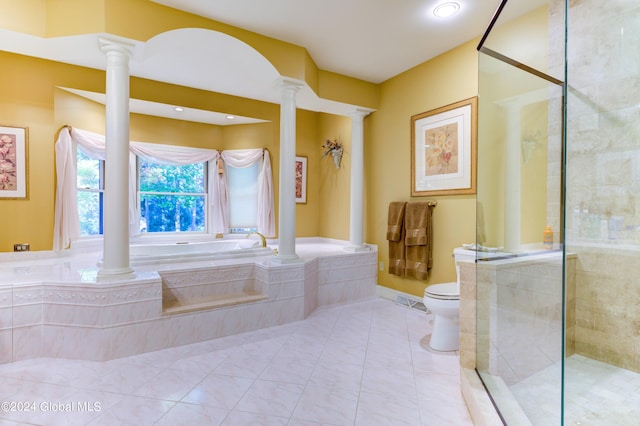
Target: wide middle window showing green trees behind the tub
{"points": [[172, 198]]}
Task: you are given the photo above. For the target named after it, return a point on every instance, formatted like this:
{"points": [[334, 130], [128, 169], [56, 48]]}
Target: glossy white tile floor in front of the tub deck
{"points": [[356, 364]]}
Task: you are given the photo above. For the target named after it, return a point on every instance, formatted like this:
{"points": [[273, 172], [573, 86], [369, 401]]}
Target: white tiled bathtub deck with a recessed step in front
{"points": [[56, 305]]}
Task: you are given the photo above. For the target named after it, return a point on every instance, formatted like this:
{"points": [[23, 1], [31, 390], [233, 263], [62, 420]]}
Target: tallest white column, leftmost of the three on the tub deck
{"points": [[116, 188]]}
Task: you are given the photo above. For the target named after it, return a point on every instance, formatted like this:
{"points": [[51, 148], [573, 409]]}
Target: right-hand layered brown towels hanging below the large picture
{"points": [[418, 257]]}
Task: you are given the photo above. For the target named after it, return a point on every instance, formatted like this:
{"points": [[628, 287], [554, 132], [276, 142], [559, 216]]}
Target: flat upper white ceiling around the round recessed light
{"points": [[372, 40]]}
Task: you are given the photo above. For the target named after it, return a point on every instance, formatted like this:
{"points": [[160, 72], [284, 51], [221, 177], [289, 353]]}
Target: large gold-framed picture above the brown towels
{"points": [[443, 150]]}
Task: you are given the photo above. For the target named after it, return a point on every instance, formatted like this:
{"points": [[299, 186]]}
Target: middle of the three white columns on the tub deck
{"points": [[287, 198]]}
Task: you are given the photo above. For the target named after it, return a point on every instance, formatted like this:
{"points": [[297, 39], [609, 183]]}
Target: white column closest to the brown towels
{"points": [[356, 224]]}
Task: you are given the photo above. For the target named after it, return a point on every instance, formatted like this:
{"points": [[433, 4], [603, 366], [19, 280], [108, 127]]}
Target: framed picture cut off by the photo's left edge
{"points": [[13, 163]]}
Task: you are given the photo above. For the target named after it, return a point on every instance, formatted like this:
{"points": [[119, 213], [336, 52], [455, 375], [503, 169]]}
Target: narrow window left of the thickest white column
{"points": [[90, 184]]}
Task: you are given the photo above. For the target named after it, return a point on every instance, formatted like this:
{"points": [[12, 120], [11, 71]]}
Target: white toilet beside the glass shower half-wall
{"points": [[443, 300]]}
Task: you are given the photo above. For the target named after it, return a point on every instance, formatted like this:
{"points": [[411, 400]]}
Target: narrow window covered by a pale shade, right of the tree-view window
{"points": [[242, 187]]}
